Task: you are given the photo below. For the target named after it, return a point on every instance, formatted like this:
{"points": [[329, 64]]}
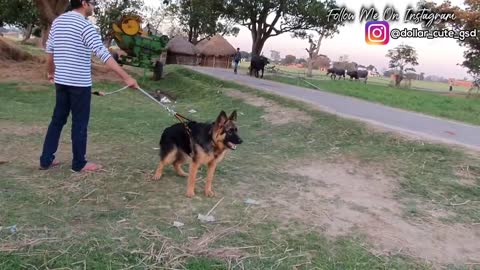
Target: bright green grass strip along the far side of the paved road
{"points": [[451, 107]]}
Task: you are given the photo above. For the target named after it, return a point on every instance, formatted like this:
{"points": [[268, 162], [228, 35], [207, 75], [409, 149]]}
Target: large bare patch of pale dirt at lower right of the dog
{"points": [[343, 198]]}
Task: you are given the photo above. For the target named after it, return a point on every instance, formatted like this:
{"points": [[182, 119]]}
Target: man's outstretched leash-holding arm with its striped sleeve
{"points": [[92, 40]]}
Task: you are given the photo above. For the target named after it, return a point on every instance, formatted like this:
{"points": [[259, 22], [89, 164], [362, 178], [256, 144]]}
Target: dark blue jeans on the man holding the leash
{"points": [[77, 100]]}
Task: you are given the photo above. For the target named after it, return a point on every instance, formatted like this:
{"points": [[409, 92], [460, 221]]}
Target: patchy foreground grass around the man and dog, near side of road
{"points": [[120, 219]]}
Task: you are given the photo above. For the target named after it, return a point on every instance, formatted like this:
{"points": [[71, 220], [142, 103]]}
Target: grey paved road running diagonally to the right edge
{"points": [[410, 123]]}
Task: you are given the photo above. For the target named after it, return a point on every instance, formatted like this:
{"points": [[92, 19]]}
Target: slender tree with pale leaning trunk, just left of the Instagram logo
{"points": [[323, 28]]}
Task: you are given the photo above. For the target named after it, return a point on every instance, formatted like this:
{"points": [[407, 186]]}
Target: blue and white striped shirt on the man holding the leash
{"points": [[72, 40]]}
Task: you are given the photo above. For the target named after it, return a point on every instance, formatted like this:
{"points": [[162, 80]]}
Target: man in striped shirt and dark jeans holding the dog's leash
{"points": [[70, 43]]}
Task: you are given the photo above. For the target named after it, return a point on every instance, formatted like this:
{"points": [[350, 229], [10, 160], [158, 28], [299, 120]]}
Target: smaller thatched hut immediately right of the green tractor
{"points": [[180, 51]]}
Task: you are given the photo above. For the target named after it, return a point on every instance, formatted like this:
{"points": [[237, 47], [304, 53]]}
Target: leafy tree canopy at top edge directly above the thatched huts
{"points": [[202, 19]]}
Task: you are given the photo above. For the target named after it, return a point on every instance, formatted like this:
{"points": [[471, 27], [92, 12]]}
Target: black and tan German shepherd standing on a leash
{"points": [[206, 144]]}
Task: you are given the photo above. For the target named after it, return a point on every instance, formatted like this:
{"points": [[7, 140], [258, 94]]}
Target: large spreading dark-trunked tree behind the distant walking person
{"points": [[268, 18]]}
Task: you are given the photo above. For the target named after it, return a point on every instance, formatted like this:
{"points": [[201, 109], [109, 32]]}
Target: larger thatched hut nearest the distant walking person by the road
{"points": [[216, 52]]}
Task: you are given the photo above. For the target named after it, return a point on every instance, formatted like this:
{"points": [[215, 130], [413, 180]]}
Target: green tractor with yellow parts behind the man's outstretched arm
{"points": [[142, 49]]}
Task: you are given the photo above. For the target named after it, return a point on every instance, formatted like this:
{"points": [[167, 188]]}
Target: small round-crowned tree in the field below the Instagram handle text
{"points": [[401, 56]]}
